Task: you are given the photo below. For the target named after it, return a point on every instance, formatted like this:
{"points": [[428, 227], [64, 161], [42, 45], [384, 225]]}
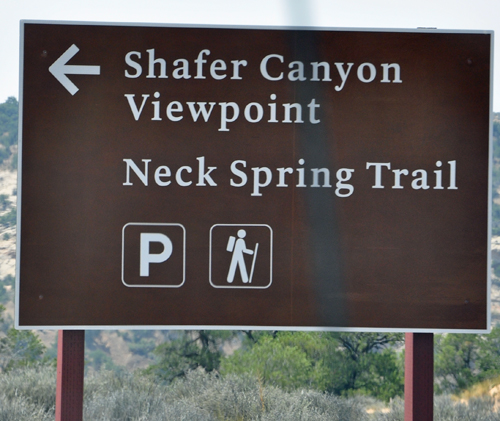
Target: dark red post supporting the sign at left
{"points": [[70, 365]]}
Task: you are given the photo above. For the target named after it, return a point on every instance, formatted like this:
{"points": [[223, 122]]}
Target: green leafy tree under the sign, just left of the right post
{"points": [[341, 363]]}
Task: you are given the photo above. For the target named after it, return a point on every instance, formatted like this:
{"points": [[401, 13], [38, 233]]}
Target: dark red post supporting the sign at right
{"points": [[419, 376]]}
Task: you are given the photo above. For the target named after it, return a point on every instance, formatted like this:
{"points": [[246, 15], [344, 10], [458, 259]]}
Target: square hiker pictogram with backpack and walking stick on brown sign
{"points": [[241, 256]]}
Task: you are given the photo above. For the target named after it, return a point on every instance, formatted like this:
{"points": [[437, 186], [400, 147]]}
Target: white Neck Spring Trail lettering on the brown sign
{"points": [[384, 175]]}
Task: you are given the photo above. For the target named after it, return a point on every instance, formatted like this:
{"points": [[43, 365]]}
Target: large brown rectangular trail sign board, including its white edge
{"points": [[254, 178]]}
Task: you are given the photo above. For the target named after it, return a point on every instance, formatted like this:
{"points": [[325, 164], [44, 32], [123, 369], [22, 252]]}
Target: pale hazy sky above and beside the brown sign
{"points": [[388, 14]]}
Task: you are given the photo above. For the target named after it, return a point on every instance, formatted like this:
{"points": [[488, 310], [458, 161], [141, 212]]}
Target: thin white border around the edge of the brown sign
{"points": [[279, 328]]}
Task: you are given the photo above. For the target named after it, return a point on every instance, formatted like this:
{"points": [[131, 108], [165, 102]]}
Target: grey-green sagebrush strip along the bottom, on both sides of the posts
{"points": [[29, 394]]}
